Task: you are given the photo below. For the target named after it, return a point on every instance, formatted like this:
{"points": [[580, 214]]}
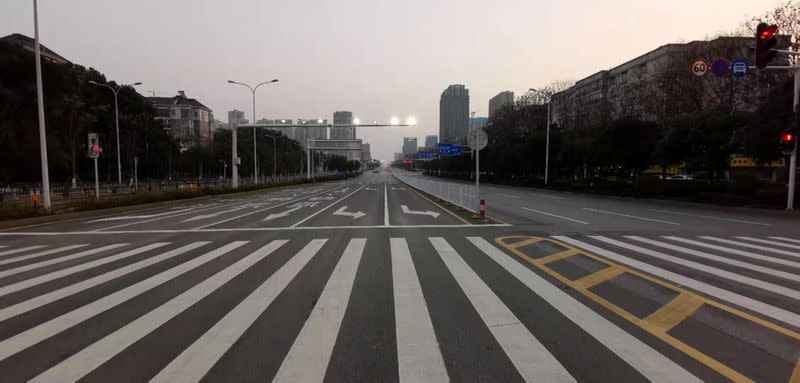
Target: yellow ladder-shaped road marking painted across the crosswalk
{"points": [[659, 322]]}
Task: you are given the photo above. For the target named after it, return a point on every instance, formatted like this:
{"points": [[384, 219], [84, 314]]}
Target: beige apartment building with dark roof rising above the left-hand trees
{"points": [[186, 119]]}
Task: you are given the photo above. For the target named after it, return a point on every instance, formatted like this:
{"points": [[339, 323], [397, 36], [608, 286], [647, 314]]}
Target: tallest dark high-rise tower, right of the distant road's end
{"points": [[454, 114]]}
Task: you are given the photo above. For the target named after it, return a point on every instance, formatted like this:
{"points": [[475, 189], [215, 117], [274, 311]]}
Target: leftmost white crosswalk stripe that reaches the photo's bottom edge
{"points": [[82, 363]]}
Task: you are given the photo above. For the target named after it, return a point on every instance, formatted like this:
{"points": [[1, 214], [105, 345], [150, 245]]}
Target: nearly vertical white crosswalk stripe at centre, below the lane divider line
{"points": [[419, 358]]}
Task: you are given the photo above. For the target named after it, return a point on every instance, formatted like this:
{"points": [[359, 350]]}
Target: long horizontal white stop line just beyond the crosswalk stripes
{"points": [[246, 229]]}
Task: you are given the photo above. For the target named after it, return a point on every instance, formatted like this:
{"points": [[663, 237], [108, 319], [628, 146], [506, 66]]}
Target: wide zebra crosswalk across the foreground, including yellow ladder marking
{"points": [[553, 308]]}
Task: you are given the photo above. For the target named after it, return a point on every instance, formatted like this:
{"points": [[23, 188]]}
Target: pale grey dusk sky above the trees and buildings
{"points": [[376, 58]]}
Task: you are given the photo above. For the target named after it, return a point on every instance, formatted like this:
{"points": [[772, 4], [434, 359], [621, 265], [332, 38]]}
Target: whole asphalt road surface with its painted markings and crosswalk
{"points": [[367, 280]]}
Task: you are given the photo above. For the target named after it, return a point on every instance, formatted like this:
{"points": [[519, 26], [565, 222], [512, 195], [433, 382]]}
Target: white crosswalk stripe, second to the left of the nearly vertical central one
{"points": [[196, 360]]}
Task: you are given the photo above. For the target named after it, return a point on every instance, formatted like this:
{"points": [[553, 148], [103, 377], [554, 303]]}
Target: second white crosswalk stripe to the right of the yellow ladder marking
{"points": [[766, 286]]}
